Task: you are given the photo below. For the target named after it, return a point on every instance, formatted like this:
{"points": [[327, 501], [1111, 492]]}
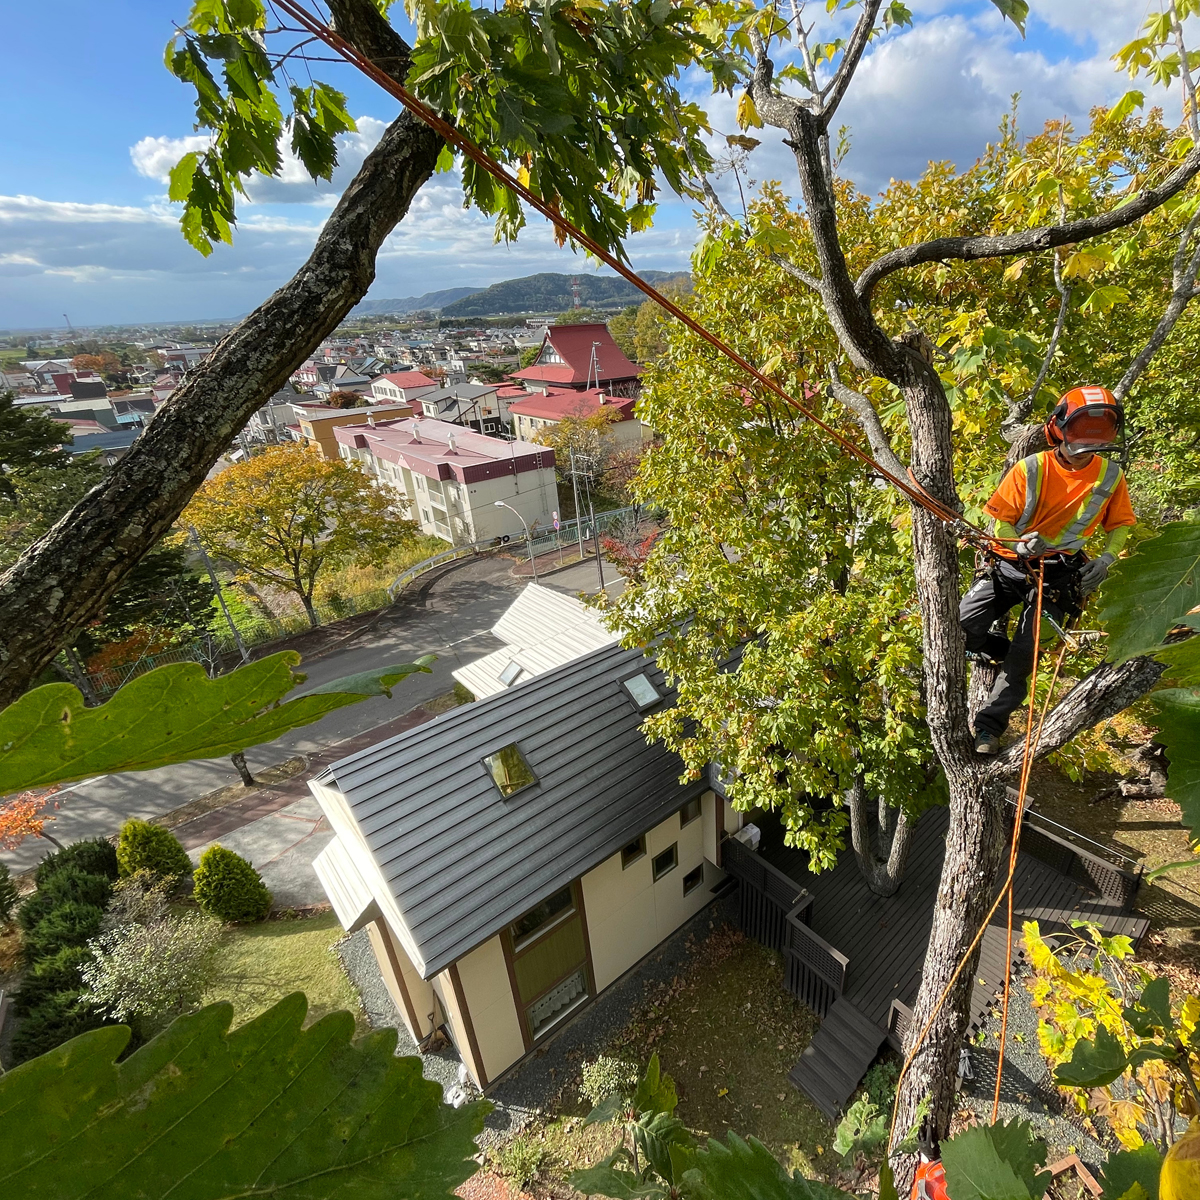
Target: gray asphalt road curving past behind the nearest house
{"points": [[449, 616]]}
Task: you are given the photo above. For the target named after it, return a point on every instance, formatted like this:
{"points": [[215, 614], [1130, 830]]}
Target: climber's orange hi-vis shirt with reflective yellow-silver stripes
{"points": [[1066, 507]]}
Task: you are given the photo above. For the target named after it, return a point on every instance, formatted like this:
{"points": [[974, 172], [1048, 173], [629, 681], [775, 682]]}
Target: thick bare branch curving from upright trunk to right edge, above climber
{"points": [[1029, 241]]}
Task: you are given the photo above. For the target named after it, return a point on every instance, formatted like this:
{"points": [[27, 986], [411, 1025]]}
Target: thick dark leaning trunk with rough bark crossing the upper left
{"points": [[65, 578]]}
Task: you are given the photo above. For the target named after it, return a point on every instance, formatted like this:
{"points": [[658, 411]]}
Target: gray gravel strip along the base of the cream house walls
{"points": [[520, 1096]]}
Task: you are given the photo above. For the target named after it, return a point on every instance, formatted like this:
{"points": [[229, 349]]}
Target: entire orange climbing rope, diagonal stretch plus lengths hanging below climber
{"points": [[909, 488]]}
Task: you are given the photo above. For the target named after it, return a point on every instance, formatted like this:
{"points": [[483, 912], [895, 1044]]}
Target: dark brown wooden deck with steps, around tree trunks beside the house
{"points": [[885, 940]]}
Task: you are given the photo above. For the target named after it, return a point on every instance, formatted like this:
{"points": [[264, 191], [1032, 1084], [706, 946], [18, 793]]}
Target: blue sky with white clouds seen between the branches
{"points": [[95, 121]]}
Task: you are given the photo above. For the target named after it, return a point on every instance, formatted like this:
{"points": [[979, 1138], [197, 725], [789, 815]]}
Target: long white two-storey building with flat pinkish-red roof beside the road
{"points": [[452, 478]]}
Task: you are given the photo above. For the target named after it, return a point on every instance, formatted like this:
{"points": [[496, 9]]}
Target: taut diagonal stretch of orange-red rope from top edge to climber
{"points": [[471, 151]]}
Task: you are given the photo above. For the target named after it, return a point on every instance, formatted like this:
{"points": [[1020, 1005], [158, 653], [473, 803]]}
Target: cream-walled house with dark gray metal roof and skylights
{"points": [[517, 856]]}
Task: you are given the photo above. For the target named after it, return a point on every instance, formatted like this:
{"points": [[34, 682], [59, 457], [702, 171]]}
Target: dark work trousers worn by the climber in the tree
{"points": [[994, 597]]}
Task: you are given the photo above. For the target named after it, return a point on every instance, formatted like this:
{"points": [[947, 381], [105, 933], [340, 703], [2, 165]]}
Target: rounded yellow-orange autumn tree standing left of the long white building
{"points": [[287, 515]]}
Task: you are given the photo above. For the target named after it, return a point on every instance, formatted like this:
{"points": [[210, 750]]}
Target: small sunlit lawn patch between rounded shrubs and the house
{"points": [[261, 964]]}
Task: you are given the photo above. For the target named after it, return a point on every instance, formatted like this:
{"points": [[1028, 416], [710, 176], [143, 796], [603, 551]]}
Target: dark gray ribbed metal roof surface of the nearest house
{"points": [[461, 861]]}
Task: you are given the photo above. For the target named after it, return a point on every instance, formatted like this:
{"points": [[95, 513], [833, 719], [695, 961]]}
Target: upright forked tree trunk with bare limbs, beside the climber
{"points": [[977, 835]]}
